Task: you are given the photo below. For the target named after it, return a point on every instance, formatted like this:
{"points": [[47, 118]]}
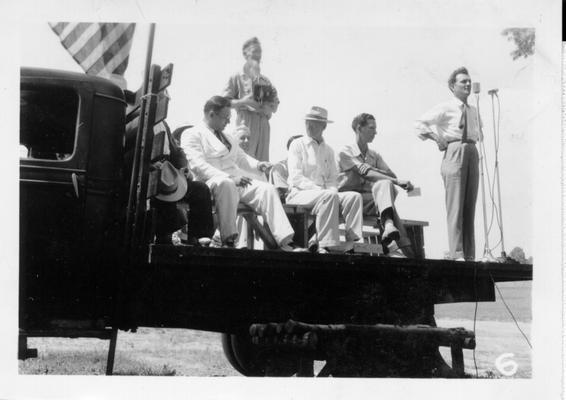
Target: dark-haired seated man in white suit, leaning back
{"points": [[219, 161]]}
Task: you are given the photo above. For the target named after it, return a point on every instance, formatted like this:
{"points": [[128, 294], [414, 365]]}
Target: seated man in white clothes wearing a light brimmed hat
{"points": [[313, 183]]}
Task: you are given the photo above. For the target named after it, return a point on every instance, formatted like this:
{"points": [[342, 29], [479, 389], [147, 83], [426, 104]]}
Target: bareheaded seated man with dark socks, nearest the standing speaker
{"points": [[364, 171]]}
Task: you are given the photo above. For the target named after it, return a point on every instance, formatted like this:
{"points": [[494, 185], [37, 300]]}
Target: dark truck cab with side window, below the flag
{"points": [[71, 162]]}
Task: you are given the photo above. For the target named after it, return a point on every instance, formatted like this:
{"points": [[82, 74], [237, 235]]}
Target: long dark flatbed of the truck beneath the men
{"points": [[224, 290]]}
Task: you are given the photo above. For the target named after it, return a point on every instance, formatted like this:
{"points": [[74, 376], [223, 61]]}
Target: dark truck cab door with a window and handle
{"points": [[52, 169]]}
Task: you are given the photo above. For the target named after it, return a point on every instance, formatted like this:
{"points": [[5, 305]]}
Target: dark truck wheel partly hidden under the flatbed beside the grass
{"points": [[251, 361]]}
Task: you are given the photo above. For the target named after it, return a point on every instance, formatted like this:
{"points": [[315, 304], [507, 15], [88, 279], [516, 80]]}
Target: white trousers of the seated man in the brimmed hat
{"points": [[327, 205]]}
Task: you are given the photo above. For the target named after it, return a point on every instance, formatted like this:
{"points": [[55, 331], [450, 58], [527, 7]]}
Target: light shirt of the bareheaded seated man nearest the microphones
{"points": [[351, 157]]}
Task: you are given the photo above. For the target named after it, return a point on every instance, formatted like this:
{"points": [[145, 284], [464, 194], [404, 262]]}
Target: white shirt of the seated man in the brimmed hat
{"points": [[311, 165]]}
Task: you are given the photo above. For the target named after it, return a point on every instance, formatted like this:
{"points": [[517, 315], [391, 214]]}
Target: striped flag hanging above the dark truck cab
{"points": [[101, 49]]}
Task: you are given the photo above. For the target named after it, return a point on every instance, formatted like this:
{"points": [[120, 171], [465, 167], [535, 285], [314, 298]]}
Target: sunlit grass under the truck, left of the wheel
{"points": [[156, 352]]}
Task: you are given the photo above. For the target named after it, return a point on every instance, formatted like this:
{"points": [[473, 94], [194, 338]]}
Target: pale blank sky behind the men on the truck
{"points": [[394, 73]]}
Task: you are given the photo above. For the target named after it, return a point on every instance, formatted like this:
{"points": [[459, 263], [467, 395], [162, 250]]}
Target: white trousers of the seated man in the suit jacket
{"points": [[260, 196]]}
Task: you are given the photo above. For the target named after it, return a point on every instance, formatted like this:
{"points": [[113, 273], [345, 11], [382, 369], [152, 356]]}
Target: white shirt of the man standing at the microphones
{"points": [[444, 119]]}
